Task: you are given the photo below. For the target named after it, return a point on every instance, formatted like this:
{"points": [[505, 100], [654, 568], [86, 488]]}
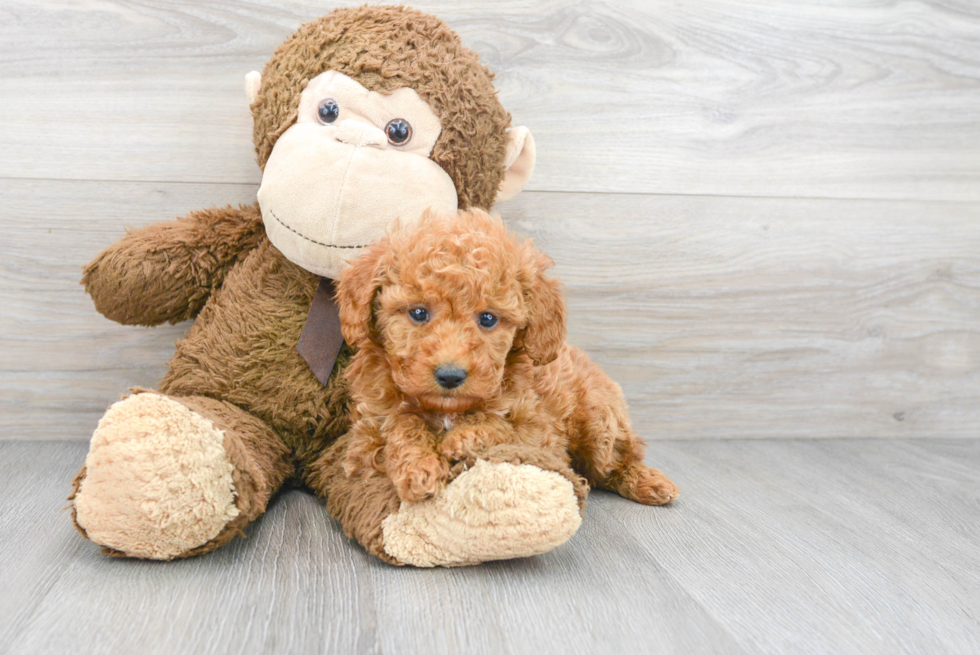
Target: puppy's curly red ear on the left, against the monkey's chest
{"points": [[356, 289]]}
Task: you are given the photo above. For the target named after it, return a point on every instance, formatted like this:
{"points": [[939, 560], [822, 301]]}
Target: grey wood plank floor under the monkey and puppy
{"points": [[776, 546]]}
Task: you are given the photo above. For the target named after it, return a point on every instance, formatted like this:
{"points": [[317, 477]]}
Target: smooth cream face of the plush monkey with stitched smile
{"points": [[329, 190]]}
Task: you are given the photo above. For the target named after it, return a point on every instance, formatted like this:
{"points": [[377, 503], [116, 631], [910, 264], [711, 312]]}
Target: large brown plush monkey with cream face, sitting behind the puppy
{"points": [[361, 117]]}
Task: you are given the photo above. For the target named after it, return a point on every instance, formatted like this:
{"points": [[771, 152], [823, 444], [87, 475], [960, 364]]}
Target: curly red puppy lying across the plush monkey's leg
{"points": [[460, 342]]}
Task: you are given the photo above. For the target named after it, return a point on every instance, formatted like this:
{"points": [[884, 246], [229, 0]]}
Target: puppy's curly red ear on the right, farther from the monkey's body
{"points": [[544, 335]]}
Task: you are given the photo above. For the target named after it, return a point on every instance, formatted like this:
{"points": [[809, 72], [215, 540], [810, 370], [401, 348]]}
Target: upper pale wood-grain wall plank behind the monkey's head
{"points": [[719, 97]]}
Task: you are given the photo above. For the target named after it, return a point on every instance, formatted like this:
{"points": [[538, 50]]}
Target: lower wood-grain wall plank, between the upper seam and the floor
{"points": [[721, 317]]}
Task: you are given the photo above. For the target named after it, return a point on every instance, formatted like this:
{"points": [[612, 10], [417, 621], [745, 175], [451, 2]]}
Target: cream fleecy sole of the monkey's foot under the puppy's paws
{"points": [[489, 512]]}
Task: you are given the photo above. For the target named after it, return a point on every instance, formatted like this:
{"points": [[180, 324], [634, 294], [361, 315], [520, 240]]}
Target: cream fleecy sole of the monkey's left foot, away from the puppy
{"points": [[157, 481]]}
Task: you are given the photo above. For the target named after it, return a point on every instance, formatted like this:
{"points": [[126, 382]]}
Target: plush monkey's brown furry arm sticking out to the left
{"points": [[166, 271]]}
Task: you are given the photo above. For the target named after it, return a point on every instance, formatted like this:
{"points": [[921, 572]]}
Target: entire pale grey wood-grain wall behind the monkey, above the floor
{"points": [[767, 214]]}
